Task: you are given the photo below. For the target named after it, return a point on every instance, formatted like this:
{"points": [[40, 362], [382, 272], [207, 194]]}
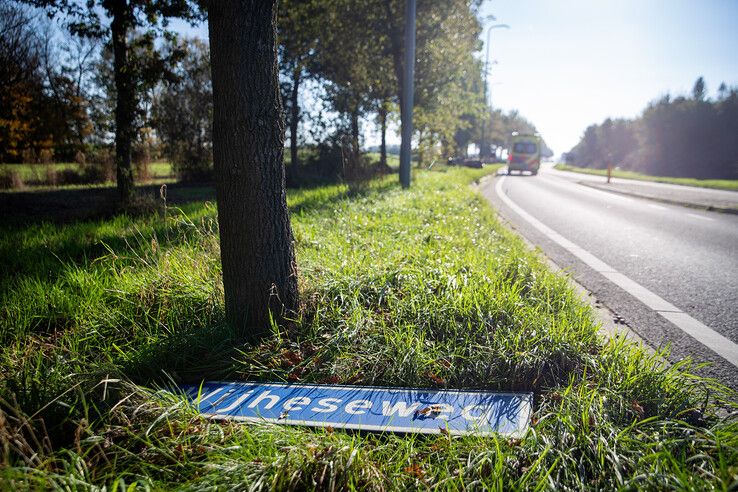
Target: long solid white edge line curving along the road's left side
{"points": [[708, 337]]}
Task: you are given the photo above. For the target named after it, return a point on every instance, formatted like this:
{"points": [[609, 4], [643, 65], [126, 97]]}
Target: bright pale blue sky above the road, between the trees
{"points": [[565, 64]]}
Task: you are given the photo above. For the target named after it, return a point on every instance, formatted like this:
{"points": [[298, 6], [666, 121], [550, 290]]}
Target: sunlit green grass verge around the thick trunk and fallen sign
{"points": [[403, 288]]}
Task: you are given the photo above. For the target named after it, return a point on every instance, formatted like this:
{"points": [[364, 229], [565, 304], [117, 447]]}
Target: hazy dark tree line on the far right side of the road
{"points": [[681, 136]]}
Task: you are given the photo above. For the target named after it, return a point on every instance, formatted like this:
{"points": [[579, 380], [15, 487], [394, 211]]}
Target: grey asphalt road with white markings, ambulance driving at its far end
{"points": [[670, 272]]}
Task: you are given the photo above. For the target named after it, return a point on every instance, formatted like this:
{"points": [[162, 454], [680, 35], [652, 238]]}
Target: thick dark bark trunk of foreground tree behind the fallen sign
{"points": [[259, 272]]}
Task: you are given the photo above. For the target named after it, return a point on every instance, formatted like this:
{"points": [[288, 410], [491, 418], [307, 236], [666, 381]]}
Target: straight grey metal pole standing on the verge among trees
{"points": [[408, 88]]}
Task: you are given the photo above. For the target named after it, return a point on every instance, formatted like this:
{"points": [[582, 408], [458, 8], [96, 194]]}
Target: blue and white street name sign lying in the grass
{"points": [[367, 408]]}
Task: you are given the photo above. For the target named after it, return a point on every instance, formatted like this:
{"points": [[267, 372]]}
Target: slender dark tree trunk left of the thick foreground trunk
{"points": [[125, 103]]}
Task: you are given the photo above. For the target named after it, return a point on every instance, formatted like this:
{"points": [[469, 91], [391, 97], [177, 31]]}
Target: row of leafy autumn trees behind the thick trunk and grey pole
{"points": [[114, 91]]}
